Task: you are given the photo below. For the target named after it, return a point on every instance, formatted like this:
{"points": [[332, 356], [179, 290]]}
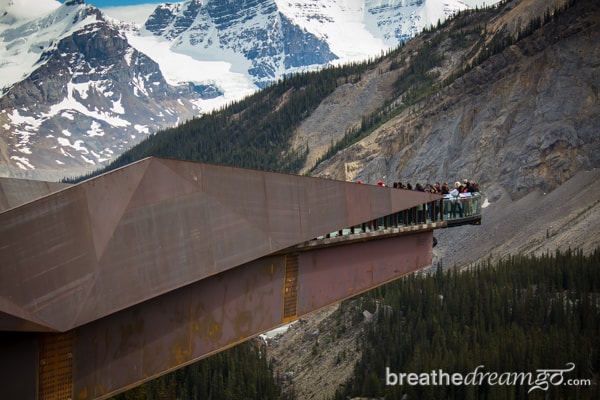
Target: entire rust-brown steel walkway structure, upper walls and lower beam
{"points": [[124, 277]]}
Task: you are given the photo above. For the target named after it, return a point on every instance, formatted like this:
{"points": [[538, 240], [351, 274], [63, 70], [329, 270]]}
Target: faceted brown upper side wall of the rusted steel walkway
{"points": [[122, 238]]}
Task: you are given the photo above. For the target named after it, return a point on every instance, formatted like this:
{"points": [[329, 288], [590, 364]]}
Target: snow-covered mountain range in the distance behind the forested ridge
{"points": [[77, 88]]}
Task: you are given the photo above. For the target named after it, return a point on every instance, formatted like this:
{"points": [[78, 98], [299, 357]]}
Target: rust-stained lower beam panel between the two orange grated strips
{"points": [[177, 328]]}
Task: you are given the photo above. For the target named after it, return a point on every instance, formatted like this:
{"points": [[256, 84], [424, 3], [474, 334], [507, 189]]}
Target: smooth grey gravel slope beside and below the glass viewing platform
{"points": [[566, 218]]}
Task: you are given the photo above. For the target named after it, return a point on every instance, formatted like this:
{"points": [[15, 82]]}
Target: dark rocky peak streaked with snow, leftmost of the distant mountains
{"points": [[90, 96]]}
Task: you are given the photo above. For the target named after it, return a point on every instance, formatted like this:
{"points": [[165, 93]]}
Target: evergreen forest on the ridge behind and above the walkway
{"points": [[256, 132]]}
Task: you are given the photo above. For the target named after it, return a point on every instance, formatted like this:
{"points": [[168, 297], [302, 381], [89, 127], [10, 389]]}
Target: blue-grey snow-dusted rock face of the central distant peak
{"points": [[269, 42]]}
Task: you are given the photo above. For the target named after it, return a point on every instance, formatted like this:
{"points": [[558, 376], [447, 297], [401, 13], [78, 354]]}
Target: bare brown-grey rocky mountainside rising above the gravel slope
{"points": [[480, 92]]}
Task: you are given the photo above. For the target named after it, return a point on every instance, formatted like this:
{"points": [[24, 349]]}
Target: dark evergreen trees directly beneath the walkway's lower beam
{"points": [[238, 373]]}
